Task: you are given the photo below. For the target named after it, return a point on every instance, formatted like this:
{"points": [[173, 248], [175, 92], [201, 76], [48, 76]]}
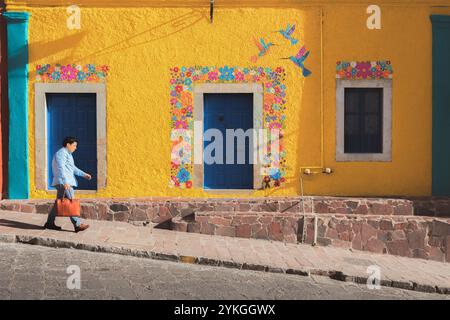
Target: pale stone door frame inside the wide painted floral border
{"points": [[199, 90]]}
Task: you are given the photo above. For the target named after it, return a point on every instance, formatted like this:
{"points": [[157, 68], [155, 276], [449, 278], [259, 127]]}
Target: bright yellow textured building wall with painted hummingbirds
{"points": [[138, 120]]}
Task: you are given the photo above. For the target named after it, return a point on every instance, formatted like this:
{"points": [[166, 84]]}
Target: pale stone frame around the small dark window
{"points": [[386, 155]]}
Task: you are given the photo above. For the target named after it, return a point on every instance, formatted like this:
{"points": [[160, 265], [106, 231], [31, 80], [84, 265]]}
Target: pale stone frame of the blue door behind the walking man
{"points": [[41, 173]]}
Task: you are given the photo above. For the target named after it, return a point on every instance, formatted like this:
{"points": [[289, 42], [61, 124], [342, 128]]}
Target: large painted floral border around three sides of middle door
{"points": [[182, 80]]}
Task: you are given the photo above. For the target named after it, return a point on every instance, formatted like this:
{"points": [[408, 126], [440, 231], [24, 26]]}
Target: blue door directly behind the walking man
{"points": [[74, 114]]}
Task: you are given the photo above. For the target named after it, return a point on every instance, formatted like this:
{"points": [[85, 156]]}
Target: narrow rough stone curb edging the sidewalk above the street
{"points": [[141, 253]]}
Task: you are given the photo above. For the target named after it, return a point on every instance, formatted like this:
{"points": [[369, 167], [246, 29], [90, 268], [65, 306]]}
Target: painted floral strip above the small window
{"points": [[359, 70]]}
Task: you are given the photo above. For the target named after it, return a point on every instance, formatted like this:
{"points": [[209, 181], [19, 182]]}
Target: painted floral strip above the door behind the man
{"points": [[71, 73]]}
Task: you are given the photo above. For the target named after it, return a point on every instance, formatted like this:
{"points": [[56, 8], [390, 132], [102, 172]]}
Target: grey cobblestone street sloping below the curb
{"points": [[35, 272]]}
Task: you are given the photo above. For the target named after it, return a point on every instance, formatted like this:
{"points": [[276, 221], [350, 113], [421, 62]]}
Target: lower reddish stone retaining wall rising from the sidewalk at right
{"points": [[409, 236]]}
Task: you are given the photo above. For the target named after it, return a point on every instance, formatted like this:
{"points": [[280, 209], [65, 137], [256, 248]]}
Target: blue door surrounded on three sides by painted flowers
{"points": [[228, 111]]}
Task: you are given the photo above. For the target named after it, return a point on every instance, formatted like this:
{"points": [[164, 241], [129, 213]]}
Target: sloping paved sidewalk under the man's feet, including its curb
{"points": [[271, 256]]}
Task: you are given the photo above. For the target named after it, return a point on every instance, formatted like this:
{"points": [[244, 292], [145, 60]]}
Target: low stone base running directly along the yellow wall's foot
{"points": [[157, 210]]}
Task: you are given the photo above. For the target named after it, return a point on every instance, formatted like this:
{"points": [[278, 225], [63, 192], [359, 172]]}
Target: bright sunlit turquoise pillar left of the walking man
{"points": [[17, 43]]}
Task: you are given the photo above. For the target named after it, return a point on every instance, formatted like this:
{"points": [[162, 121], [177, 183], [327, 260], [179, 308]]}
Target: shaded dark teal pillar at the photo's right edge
{"points": [[441, 106]]}
